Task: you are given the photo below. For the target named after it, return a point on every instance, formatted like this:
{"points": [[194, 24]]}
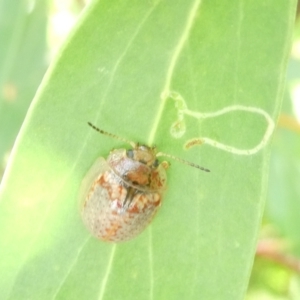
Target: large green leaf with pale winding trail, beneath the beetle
{"points": [[158, 72]]}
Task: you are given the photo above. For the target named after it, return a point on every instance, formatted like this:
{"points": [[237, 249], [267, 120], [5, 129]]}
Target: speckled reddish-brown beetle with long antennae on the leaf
{"points": [[122, 194]]}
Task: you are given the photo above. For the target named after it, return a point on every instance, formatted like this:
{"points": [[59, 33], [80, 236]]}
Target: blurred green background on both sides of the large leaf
{"points": [[31, 33]]}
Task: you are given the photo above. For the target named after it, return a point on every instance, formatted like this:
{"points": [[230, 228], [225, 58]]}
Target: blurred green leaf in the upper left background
{"points": [[22, 61]]}
